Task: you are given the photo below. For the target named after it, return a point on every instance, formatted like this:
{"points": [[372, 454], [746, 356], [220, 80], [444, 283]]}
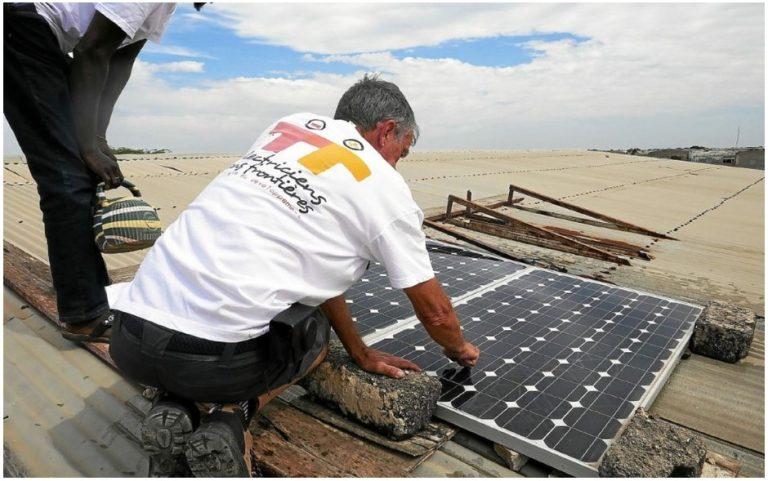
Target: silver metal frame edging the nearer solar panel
{"points": [[537, 449]]}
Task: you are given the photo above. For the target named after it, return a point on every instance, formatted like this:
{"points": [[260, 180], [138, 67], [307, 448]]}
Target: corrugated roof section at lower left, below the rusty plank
{"points": [[64, 411]]}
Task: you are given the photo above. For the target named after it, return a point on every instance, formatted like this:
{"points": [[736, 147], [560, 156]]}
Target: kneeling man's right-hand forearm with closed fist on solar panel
{"points": [[435, 311]]}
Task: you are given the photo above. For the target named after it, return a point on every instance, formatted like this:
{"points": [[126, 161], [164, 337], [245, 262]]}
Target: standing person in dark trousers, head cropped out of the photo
{"points": [[59, 108]]}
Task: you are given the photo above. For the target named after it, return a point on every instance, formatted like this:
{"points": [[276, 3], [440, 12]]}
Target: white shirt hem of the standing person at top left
{"points": [[139, 21]]}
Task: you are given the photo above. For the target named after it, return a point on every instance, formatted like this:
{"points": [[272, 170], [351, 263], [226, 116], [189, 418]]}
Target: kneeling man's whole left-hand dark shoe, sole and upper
{"points": [[165, 432]]}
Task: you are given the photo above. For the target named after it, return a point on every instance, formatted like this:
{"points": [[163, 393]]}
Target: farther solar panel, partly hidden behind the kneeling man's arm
{"points": [[375, 305]]}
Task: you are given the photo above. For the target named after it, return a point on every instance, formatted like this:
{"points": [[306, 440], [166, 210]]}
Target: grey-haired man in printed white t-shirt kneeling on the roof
{"points": [[234, 302]]}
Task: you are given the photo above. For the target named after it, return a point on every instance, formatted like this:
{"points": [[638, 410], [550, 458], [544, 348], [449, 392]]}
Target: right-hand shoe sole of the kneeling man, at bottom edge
{"points": [[213, 452]]}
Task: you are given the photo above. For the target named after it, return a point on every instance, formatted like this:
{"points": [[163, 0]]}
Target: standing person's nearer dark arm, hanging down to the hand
{"points": [[87, 79]]}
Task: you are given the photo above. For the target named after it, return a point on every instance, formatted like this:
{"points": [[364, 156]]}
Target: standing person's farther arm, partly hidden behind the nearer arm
{"points": [[120, 67]]}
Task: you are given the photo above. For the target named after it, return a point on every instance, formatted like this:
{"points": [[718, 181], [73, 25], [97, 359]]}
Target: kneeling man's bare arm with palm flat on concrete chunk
{"points": [[367, 358]]}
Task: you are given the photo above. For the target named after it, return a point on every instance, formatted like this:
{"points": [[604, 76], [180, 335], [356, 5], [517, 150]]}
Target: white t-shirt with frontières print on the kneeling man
{"points": [[297, 219]]}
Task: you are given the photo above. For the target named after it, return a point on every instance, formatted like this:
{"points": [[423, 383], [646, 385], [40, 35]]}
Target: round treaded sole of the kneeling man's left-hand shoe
{"points": [[166, 430]]}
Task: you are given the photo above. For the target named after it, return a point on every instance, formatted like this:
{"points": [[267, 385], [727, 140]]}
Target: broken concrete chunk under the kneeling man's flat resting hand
{"points": [[398, 408]]}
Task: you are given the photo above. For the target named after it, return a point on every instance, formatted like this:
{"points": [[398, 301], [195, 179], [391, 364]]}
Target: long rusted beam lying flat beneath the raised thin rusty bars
{"points": [[523, 234]]}
